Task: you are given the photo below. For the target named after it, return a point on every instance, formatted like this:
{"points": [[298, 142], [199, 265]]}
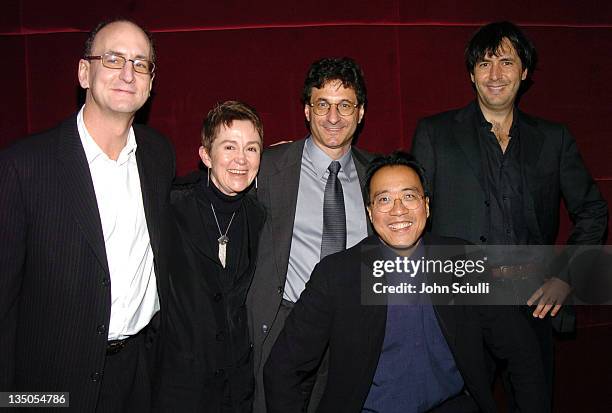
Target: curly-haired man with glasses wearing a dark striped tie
{"points": [[299, 184]]}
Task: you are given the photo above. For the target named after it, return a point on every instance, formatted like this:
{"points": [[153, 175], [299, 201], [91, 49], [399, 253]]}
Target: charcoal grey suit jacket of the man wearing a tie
{"points": [[279, 177]]}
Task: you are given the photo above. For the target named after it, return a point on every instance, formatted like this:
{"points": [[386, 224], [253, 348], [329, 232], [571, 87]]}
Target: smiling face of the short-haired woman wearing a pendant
{"points": [[234, 157]]}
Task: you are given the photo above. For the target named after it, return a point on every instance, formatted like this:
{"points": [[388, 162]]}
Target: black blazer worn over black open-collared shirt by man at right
{"points": [[551, 167]]}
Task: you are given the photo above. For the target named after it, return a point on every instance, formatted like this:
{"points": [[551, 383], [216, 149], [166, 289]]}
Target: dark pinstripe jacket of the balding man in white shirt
{"points": [[55, 298]]}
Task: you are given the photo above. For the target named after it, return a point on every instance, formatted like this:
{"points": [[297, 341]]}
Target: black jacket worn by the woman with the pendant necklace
{"points": [[204, 322]]}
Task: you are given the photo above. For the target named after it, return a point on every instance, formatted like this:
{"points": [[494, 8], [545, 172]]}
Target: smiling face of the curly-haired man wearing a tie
{"points": [[333, 133]]}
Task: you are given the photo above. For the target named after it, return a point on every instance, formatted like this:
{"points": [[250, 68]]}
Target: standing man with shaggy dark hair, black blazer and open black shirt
{"points": [[498, 175]]}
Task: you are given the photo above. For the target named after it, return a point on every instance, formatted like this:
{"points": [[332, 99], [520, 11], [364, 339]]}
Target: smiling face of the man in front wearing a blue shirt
{"points": [[400, 227]]}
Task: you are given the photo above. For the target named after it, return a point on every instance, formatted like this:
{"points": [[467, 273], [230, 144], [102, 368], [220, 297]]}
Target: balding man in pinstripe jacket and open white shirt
{"points": [[80, 211]]}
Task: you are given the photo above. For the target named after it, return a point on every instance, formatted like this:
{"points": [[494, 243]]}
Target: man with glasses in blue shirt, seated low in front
{"points": [[416, 353]]}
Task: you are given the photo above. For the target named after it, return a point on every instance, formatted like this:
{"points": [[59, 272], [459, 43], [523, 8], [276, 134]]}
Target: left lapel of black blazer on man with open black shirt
{"points": [[466, 137]]}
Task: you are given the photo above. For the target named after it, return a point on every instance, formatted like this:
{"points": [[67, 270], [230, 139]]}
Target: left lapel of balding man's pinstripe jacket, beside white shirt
{"points": [[79, 190]]}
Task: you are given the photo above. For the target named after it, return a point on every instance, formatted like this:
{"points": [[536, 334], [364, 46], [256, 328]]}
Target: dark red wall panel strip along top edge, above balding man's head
{"points": [[194, 14]]}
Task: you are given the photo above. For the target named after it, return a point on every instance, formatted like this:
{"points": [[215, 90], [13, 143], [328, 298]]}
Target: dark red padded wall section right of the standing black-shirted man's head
{"points": [[572, 86]]}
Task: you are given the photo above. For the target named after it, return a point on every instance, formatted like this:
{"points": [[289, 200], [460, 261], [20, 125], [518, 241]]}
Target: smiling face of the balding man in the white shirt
{"points": [[116, 91]]}
